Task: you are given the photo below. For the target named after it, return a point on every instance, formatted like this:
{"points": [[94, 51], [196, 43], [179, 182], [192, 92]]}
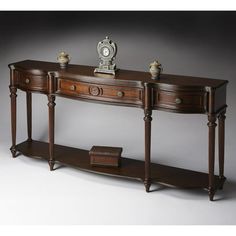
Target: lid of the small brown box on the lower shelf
{"points": [[106, 151]]}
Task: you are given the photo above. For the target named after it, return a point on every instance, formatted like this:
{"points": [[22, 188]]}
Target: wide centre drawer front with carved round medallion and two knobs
{"points": [[101, 92]]}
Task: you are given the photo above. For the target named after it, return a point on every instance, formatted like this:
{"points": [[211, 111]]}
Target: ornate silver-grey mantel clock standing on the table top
{"points": [[107, 50]]}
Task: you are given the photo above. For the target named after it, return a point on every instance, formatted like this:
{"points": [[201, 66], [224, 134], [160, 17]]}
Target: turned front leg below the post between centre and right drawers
{"points": [[147, 120]]}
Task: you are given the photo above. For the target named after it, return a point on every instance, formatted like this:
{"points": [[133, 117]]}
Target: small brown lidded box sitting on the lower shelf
{"points": [[105, 156]]}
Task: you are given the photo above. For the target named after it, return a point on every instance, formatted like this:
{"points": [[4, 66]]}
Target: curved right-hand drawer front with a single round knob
{"points": [[183, 102]]}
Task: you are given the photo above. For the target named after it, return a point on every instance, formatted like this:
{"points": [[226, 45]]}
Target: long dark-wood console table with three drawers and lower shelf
{"points": [[171, 93]]}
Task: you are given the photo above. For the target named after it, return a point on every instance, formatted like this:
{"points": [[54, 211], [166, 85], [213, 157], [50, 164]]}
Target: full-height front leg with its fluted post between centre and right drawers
{"points": [[147, 121]]}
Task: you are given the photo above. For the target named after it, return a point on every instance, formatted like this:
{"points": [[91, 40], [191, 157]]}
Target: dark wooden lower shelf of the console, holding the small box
{"points": [[130, 168]]}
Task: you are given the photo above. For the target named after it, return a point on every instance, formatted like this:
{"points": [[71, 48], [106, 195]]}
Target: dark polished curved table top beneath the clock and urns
{"points": [[42, 67]]}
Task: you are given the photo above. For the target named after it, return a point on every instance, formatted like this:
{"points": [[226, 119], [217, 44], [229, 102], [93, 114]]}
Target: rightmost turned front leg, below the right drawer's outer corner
{"points": [[211, 154]]}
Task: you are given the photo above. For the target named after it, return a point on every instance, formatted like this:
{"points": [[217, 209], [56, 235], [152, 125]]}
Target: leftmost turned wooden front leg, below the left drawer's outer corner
{"points": [[13, 96]]}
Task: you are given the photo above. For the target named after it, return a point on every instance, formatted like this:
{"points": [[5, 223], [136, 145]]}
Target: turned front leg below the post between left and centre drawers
{"points": [[51, 106]]}
